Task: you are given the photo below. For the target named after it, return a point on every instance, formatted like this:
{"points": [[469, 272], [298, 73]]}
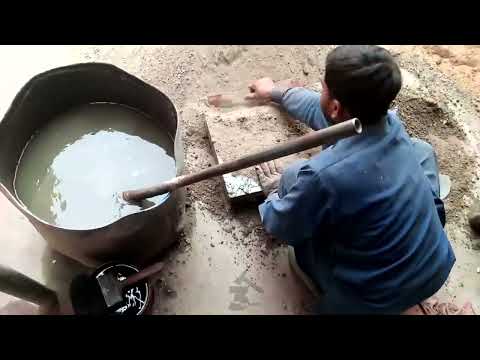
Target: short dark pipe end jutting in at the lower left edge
{"points": [[16, 284]]}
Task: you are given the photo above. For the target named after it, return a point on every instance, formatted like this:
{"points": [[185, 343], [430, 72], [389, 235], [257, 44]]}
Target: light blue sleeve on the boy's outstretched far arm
{"points": [[303, 105]]}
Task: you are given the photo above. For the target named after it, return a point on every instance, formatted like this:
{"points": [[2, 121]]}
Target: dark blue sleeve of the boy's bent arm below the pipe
{"points": [[298, 214]]}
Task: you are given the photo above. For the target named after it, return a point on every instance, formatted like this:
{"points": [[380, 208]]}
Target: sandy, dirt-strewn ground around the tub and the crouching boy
{"points": [[219, 244]]}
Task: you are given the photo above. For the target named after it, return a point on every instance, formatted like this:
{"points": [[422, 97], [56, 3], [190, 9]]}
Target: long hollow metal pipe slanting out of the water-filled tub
{"points": [[305, 142]]}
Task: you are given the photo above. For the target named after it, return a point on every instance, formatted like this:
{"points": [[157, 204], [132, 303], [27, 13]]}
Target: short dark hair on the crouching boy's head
{"points": [[365, 79]]}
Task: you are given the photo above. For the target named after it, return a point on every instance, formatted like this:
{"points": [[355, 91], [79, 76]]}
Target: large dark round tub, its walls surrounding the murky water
{"points": [[134, 238]]}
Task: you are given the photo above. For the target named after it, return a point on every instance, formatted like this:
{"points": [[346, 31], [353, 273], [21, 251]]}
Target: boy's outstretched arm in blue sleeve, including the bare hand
{"points": [[300, 103]]}
